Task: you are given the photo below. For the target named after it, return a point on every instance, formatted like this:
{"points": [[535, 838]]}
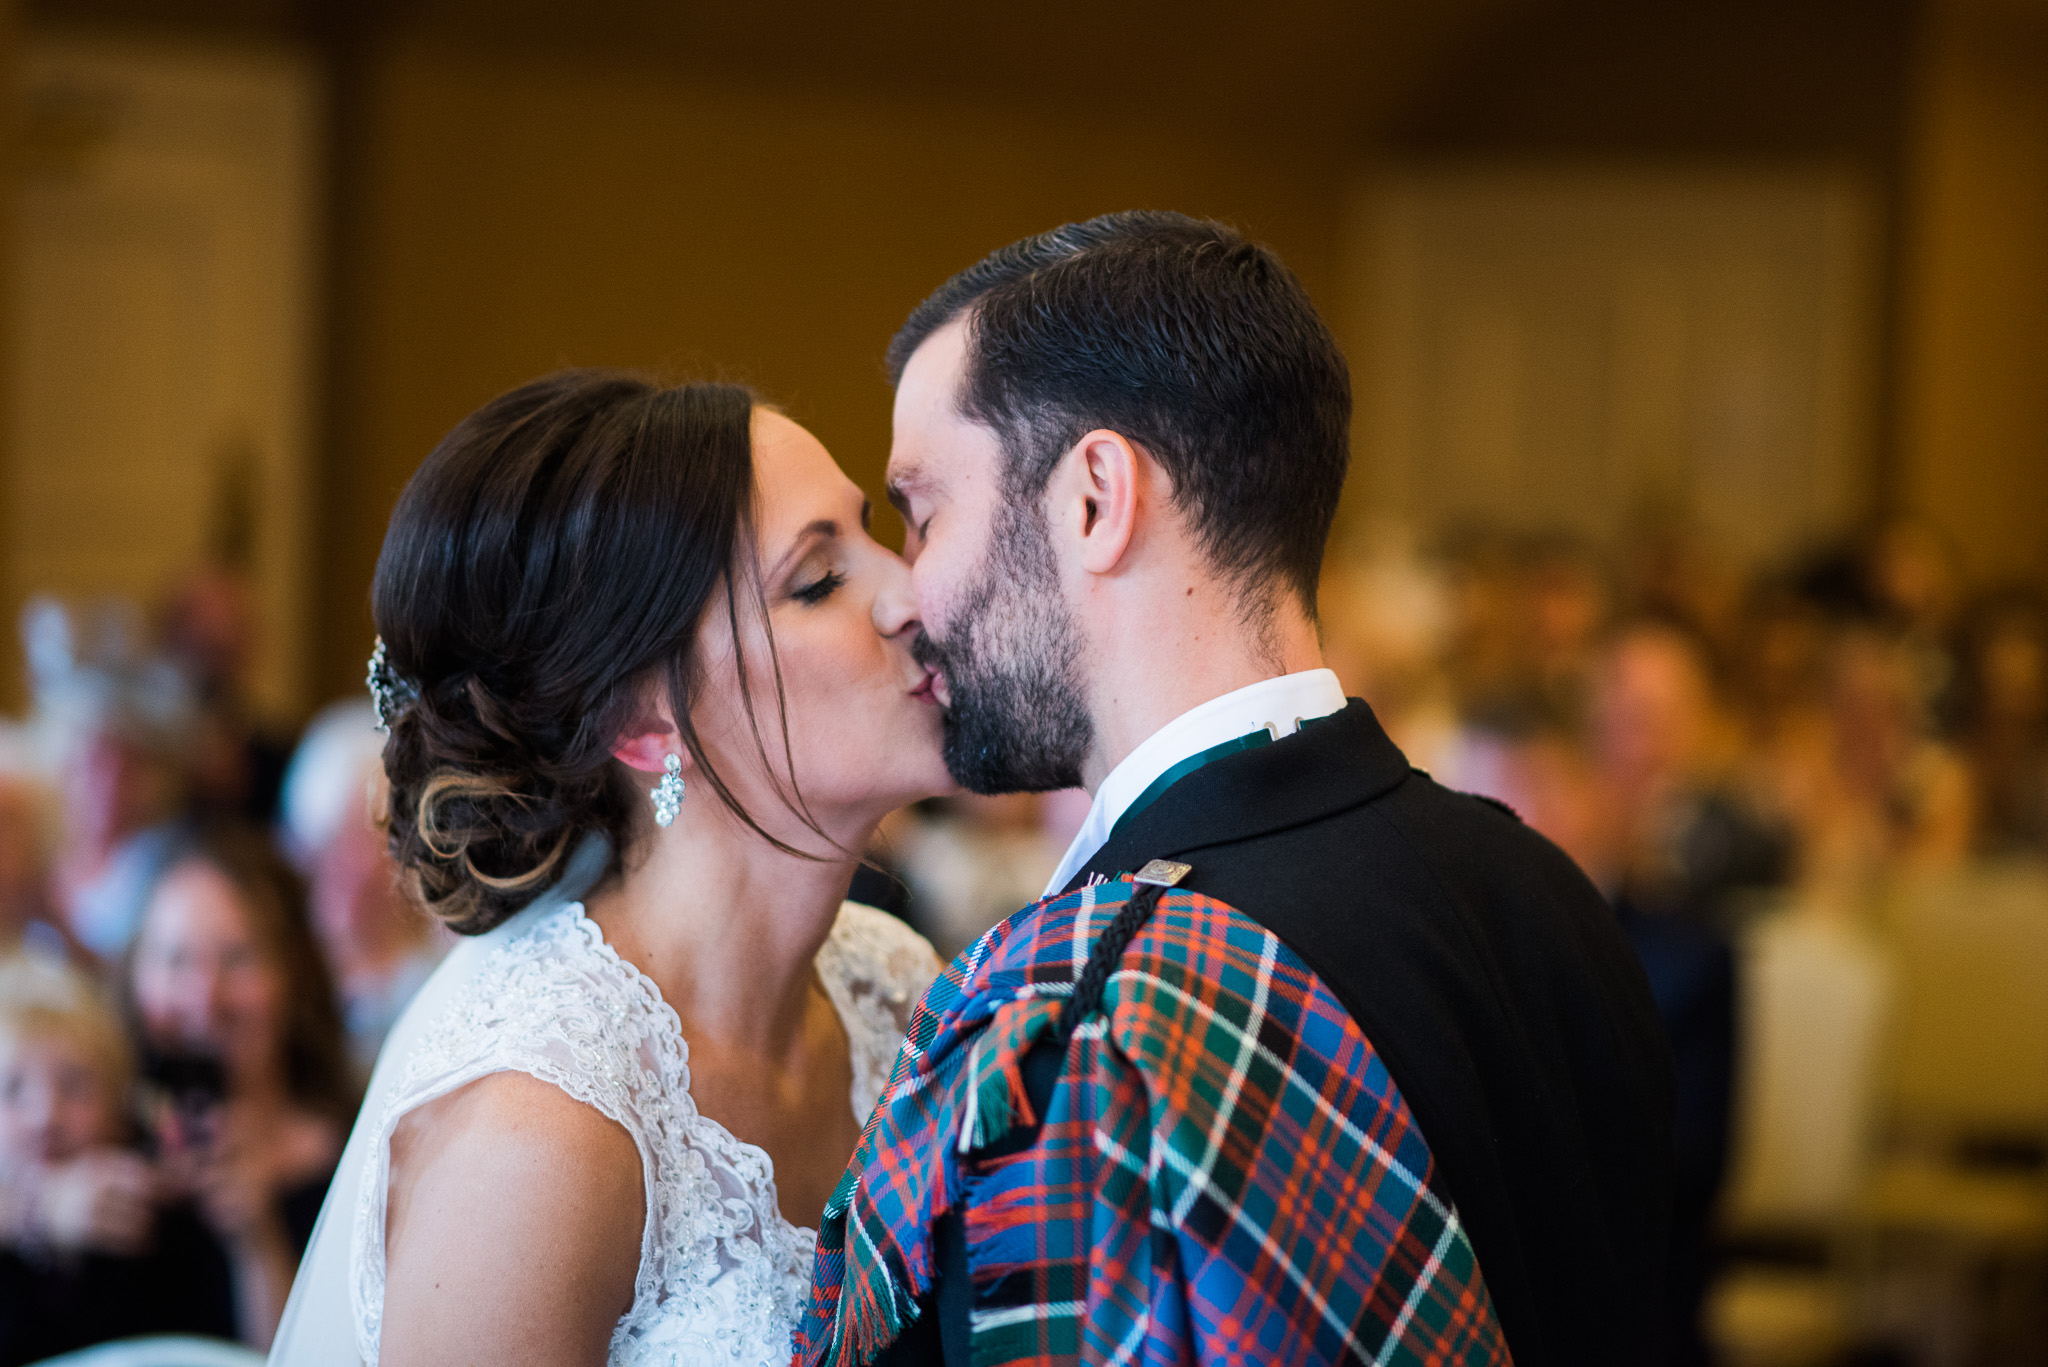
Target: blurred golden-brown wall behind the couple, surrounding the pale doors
{"points": [[767, 190]]}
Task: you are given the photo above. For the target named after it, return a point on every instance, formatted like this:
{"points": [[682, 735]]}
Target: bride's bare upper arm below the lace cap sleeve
{"points": [[513, 1225]]}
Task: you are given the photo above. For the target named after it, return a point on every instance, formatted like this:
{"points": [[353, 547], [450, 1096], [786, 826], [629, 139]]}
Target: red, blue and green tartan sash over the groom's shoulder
{"points": [[1226, 1171]]}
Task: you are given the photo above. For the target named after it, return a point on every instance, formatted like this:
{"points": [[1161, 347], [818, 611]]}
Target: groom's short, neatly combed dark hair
{"points": [[1189, 341]]}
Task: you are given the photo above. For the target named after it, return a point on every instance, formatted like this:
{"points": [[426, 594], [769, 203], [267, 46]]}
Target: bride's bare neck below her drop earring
{"points": [[726, 925]]}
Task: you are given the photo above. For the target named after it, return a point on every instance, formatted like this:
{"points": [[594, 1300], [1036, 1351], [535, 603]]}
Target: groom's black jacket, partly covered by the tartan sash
{"points": [[1498, 991]]}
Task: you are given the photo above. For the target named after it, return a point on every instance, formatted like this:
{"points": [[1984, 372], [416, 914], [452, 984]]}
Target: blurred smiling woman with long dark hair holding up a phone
{"points": [[243, 1044]]}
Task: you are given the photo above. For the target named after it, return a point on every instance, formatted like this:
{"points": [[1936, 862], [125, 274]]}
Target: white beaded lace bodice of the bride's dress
{"points": [[722, 1276]]}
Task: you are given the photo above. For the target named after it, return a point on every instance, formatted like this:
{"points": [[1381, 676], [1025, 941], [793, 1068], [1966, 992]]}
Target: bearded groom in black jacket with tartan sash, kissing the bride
{"points": [[1304, 1059]]}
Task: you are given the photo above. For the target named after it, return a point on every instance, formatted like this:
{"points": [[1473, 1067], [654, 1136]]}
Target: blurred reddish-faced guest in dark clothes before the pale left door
{"points": [[208, 628]]}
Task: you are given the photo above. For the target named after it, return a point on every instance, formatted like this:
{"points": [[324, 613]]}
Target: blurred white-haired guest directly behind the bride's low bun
{"points": [[380, 946]]}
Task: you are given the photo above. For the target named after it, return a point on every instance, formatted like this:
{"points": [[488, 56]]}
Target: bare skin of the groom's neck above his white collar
{"points": [[1162, 655]]}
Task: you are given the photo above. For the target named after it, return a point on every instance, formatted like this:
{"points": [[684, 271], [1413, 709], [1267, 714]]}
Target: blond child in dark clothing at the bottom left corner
{"points": [[85, 1251]]}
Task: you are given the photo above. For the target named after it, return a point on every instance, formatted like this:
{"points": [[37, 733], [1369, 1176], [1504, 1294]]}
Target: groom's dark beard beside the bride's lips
{"points": [[1019, 722]]}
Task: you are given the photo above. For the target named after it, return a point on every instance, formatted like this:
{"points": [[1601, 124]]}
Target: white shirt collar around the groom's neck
{"points": [[1273, 704]]}
